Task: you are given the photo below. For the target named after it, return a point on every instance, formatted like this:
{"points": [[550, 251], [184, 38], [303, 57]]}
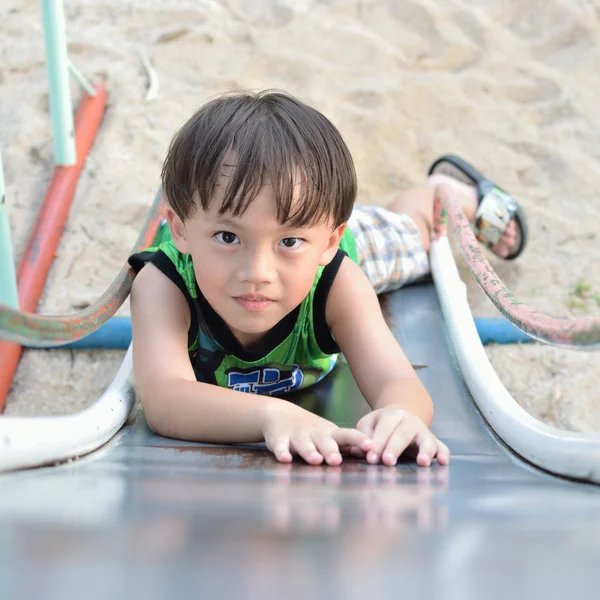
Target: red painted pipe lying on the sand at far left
{"points": [[43, 241]]}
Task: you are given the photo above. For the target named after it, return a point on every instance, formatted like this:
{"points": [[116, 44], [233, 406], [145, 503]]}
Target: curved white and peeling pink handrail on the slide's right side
{"points": [[564, 453]]}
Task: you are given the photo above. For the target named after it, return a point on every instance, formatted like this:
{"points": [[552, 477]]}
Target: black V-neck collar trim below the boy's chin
{"points": [[224, 336]]}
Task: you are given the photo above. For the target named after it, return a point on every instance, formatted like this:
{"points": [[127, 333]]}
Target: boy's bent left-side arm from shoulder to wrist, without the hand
{"points": [[164, 375]]}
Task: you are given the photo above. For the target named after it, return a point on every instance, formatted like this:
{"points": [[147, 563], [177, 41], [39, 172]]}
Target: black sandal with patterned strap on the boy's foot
{"points": [[496, 208]]}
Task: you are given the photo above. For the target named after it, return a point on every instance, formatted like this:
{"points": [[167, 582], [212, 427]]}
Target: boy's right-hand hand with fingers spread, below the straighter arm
{"points": [[393, 430]]}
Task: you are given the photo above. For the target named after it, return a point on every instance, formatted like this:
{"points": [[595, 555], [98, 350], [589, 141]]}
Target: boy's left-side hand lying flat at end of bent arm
{"points": [[289, 429]]}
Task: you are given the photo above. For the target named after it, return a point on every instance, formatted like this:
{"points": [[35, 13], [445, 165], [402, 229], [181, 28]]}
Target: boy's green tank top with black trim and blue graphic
{"points": [[296, 353]]}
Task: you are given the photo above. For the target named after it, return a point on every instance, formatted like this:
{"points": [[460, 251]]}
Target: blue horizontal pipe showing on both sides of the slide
{"points": [[116, 334]]}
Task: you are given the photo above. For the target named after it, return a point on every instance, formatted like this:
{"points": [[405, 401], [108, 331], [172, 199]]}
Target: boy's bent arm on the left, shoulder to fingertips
{"points": [[178, 406]]}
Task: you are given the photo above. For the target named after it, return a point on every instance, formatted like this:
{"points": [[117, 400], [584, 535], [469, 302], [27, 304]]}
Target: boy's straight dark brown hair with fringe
{"points": [[275, 139]]}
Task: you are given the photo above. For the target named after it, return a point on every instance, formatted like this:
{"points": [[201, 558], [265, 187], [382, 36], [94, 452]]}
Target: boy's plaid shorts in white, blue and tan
{"points": [[389, 245]]}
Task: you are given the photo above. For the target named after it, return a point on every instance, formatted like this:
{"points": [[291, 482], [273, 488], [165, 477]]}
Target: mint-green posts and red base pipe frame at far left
{"points": [[72, 142]]}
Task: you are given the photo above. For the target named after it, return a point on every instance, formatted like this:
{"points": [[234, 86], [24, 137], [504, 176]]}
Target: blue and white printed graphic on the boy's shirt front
{"points": [[265, 380]]}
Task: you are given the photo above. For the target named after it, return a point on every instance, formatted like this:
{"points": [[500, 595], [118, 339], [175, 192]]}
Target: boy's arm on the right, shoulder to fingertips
{"points": [[383, 373]]}
